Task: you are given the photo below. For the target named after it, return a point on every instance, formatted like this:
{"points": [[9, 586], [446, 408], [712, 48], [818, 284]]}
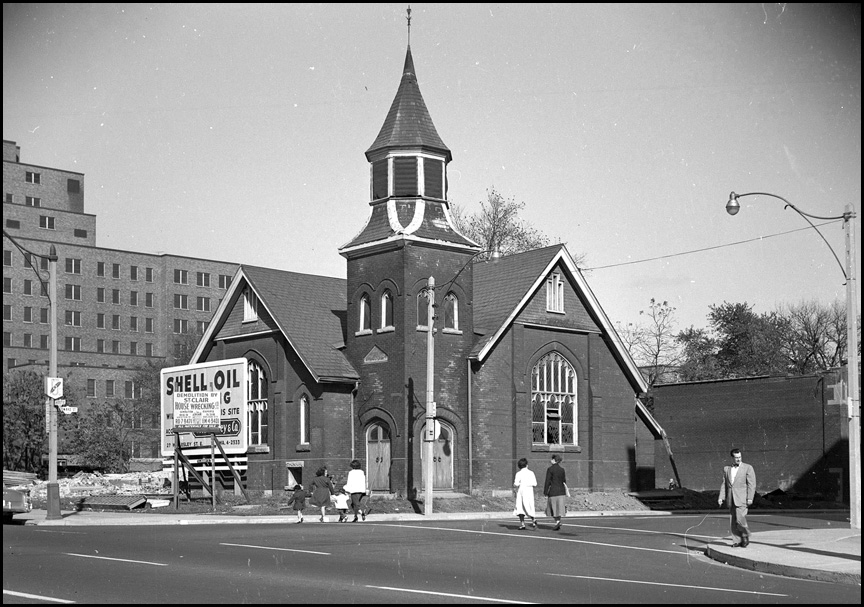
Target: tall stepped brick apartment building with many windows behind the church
{"points": [[115, 309]]}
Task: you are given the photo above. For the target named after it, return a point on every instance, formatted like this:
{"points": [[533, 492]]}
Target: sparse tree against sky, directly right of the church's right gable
{"points": [[654, 345]]}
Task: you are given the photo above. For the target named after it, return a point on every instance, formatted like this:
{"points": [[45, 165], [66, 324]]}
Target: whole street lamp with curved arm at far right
{"points": [[852, 397]]}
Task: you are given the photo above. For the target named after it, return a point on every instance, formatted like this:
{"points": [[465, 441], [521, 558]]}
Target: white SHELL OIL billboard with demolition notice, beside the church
{"points": [[206, 395]]}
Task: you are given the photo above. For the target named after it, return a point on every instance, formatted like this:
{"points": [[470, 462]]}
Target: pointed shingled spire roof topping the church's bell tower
{"points": [[408, 123]]}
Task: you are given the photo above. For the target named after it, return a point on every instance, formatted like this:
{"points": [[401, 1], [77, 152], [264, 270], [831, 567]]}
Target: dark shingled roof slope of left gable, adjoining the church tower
{"points": [[311, 311]]}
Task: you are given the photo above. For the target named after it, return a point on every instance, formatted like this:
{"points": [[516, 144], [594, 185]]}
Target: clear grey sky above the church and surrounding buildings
{"points": [[238, 132]]}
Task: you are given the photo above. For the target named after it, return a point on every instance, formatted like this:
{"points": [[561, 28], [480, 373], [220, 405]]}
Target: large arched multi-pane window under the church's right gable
{"points": [[553, 401]]}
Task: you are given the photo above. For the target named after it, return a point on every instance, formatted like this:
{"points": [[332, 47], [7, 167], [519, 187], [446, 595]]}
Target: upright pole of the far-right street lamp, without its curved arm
{"points": [[852, 397]]}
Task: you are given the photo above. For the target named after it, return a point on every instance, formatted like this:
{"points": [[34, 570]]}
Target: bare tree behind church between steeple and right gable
{"points": [[497, 225]]}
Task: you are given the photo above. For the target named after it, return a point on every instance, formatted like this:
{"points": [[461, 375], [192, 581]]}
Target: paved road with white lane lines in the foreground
{"points": [[591, 560]]}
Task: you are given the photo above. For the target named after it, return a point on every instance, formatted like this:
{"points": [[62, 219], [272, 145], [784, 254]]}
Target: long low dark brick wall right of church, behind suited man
{"points": [[791, 429]]}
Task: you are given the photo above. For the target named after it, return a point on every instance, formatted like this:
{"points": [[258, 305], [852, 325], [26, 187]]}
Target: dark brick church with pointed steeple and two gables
{"points": [[525, 361]]}
